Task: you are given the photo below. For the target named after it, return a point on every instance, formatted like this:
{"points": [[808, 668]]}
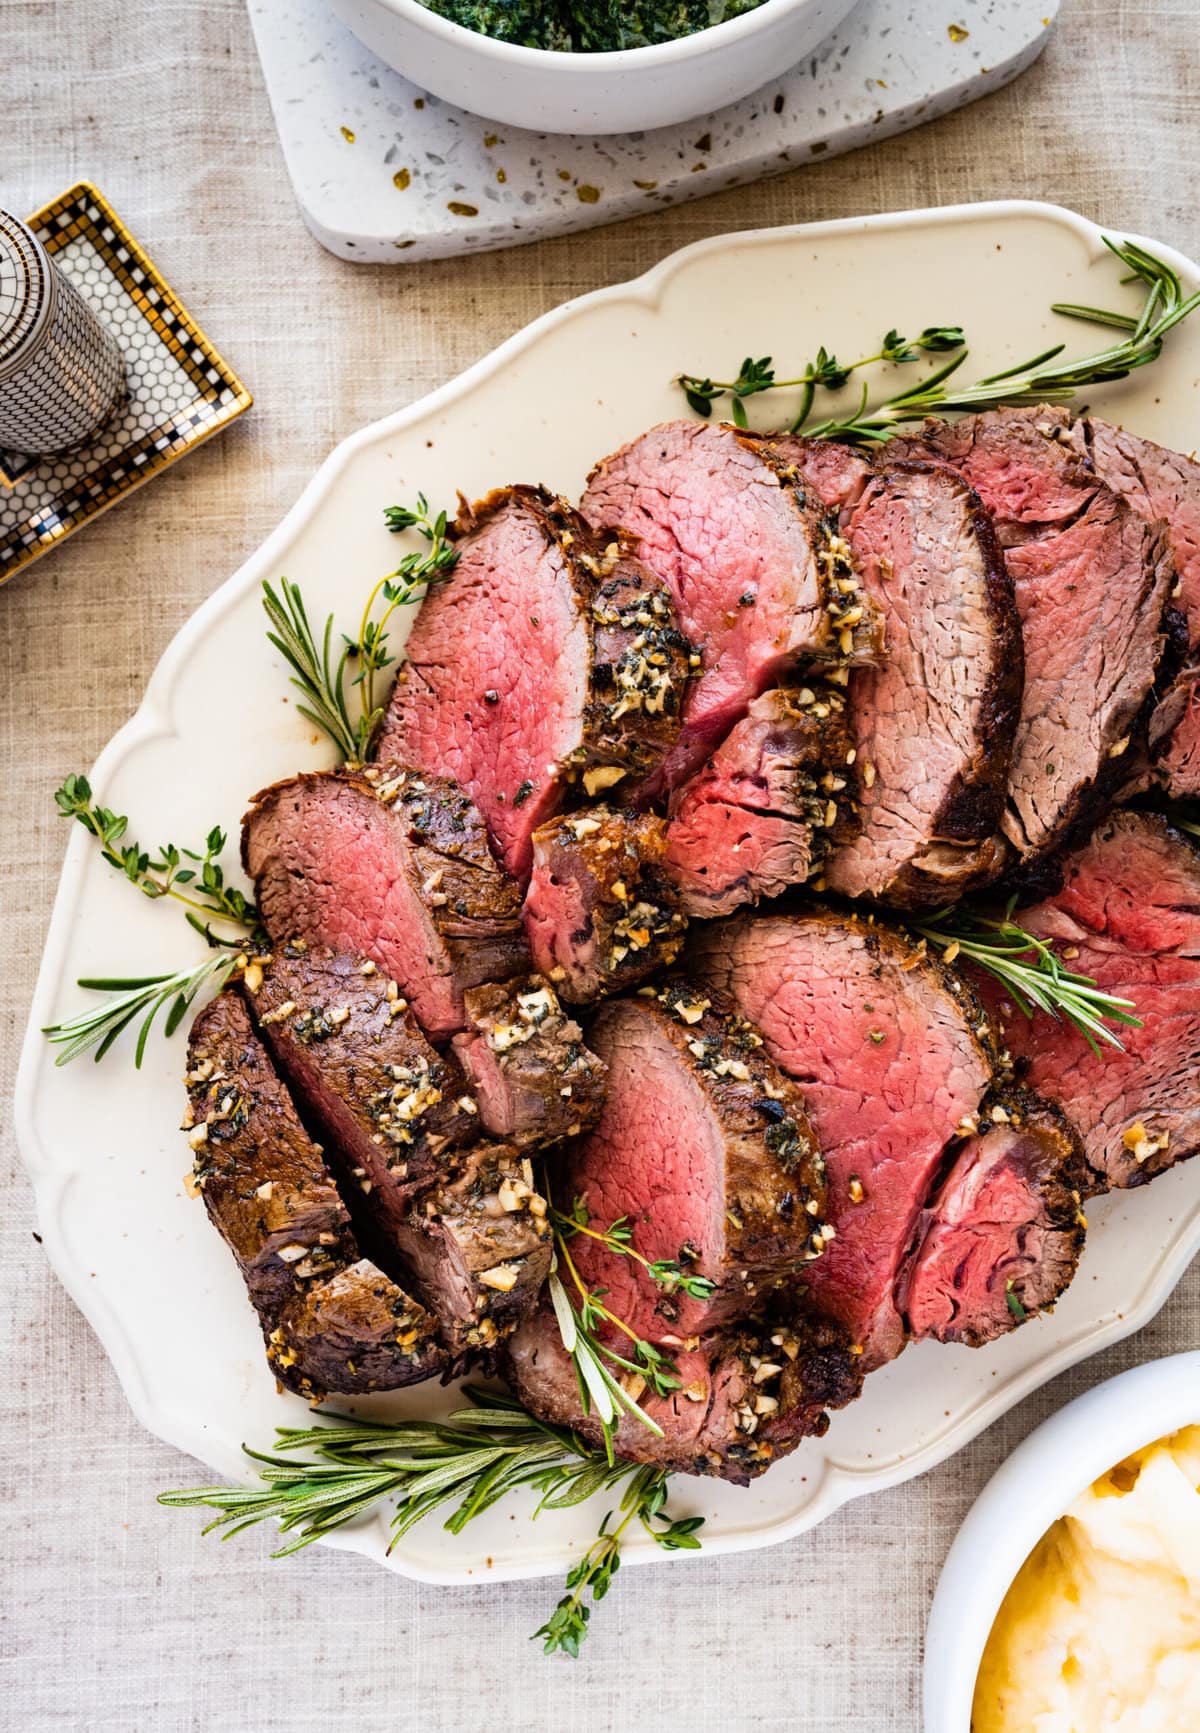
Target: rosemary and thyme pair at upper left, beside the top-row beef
{"points": [[329, 675]]}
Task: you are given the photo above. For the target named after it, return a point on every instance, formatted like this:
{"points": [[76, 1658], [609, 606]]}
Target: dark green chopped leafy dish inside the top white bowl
{"points": [[589, 29]]}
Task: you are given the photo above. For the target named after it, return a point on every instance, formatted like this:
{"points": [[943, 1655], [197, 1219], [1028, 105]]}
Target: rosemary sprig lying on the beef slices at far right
{"points": [[1031, 971]]}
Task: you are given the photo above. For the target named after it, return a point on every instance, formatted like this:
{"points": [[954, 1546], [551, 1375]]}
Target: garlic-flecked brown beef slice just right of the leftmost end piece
{"points": [[391, 1108]]}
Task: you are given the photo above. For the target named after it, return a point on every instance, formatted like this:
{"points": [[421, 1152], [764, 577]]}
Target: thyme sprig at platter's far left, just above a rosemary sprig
{"points": [[200, 888]]}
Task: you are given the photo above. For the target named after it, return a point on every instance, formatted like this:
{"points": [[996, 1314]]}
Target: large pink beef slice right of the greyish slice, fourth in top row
{"points": [[1093, 587]]}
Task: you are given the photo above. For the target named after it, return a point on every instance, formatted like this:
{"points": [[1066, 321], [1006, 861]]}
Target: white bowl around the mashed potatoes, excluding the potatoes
{"points": [[1038, 1484]]}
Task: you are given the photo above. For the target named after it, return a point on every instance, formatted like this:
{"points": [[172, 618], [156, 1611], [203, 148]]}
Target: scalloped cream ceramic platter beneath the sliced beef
{"points": [[101, 1141]]}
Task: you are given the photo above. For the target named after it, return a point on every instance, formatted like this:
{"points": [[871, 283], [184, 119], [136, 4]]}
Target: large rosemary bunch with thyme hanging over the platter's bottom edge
{"points": [[473, 1458]]}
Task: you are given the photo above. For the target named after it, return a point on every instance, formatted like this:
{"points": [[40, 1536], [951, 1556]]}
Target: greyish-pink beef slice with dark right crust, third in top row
{"points": [[934, 724]]}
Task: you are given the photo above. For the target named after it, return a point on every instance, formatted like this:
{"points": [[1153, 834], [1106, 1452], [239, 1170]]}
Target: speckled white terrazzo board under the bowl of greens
{"points": [[386, 172]]}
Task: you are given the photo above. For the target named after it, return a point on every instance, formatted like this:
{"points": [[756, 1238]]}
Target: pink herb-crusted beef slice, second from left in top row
{"points": [[759, 574]]}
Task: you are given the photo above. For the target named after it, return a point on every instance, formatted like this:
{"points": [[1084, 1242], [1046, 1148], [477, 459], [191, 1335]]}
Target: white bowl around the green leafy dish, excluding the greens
{"points": [[630, 91]]}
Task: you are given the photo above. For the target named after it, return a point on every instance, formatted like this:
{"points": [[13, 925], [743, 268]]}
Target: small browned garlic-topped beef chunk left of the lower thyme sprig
{"points": [[478, 1249]]}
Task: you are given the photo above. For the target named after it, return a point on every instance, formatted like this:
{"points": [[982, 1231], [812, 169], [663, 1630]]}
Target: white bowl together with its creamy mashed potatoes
{"points": [[1071, 1599]]}
